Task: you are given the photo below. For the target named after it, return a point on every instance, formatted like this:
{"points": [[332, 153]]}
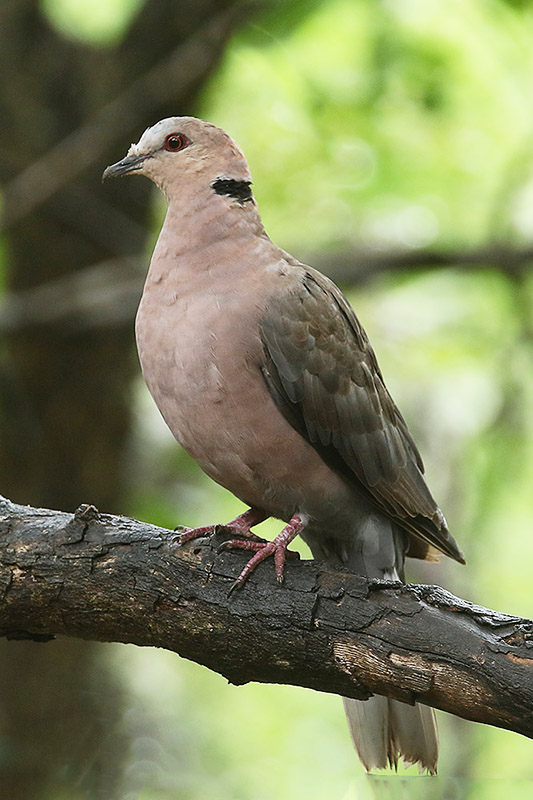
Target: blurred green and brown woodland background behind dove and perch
{"points": [[391, 144]]}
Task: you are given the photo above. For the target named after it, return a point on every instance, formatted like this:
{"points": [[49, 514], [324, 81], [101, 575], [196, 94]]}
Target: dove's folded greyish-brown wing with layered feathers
{"points": [[324, 376]]}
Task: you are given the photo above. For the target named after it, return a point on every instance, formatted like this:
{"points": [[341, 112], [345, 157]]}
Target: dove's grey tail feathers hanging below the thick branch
{"points": [[384, 730]]}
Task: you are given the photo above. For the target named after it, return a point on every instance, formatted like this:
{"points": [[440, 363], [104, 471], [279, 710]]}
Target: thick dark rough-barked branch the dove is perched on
{"points": [[108, 578]]}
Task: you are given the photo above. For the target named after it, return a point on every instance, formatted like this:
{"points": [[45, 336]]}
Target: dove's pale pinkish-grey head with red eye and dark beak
{"points": [[179, 149]]}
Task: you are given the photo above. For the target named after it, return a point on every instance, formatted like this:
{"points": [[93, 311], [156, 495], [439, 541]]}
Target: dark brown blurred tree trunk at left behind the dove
{"points": [[65, 391]]}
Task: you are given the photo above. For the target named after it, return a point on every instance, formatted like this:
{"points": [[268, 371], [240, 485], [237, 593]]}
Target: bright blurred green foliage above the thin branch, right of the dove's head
{"points": [[393, 123]]}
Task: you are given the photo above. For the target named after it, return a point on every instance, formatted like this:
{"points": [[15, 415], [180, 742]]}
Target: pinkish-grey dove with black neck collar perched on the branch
{"points": [[266, 377]]}
